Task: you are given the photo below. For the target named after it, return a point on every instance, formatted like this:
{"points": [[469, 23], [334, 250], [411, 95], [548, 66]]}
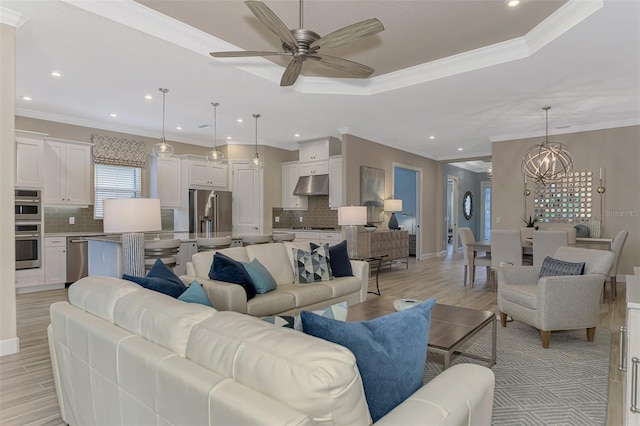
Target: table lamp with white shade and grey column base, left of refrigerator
{"points": [[132, 217]]}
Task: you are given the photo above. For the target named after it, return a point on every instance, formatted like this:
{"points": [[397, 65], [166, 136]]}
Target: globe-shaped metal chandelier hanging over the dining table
{"points": [[547, 162]]}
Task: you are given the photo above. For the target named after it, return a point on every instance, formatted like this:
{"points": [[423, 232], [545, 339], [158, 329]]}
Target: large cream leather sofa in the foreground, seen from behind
{"points": [[125, 355]]}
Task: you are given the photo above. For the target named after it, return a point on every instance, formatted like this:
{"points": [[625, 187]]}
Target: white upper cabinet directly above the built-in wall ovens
{"points": [[29, 159]]}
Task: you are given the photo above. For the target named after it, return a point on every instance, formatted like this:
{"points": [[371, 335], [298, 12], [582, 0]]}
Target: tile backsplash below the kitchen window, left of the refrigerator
{"points": [[56, 220]]}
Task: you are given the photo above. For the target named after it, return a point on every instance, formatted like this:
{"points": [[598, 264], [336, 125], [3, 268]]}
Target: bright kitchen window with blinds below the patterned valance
{"points": [[115, 182]]}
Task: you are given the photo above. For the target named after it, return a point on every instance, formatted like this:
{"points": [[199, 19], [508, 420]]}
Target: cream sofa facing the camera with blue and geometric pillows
{"points": [[289, 298]]}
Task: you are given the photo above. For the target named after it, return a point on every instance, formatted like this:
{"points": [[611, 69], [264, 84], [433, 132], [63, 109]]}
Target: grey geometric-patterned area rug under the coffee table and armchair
{"points": [[566, 384]]}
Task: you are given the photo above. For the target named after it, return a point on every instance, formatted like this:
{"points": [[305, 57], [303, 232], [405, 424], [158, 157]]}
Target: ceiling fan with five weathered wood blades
{"points": [[305, 45]]}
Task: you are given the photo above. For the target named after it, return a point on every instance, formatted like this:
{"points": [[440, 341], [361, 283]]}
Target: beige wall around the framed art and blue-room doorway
{"points": [[358, 152]]}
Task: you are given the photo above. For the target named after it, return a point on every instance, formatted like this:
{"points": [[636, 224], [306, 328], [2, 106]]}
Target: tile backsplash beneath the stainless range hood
{"points": [[318, 214]]}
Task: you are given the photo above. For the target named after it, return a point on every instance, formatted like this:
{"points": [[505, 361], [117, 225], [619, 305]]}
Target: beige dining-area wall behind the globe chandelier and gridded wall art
{"points": [[615, 150]]}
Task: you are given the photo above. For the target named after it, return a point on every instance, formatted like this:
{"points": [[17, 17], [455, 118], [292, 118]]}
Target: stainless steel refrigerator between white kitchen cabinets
{"points": [[209, 211]]}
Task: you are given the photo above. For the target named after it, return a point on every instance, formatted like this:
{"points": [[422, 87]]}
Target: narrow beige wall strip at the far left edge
{"points": [[8, 334]]}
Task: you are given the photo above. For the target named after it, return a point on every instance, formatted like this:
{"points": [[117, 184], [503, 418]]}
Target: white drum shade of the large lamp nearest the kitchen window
{"points": [[123, 215]]}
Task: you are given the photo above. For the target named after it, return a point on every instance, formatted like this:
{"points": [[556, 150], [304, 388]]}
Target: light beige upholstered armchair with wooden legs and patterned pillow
{"points": [[555, 302]]}
